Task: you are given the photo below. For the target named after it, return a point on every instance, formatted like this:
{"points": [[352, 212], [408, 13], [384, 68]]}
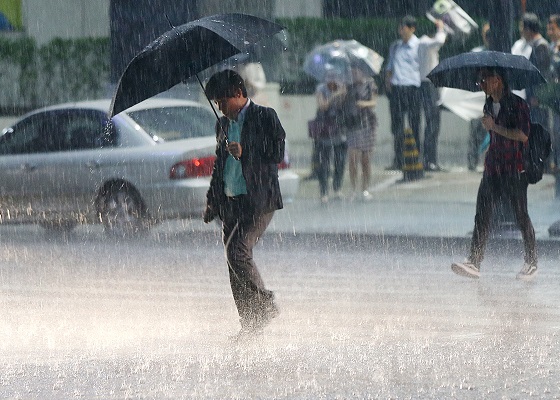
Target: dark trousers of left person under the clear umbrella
{"points": [[325, 151]]}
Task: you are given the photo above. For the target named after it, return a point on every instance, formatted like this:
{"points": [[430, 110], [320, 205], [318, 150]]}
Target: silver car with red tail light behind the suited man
{"points": [[67, 164]]}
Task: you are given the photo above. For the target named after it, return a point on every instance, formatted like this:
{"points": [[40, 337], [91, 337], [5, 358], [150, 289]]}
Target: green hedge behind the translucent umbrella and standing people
{"points": [[376, 33]]}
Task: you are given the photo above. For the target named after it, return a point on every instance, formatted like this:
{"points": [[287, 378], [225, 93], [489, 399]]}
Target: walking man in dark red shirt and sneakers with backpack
{"points": [[506, 117]]}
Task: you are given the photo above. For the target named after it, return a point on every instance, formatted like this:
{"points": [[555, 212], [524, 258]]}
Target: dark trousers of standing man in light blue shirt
{"points": [[404, 100]]}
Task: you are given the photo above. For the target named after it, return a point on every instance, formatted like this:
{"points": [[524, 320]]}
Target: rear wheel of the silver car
{"points": [[122, 212]]}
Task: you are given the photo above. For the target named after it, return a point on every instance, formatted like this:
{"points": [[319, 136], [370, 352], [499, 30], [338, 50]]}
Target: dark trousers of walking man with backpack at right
{"points": [[514, 191]]}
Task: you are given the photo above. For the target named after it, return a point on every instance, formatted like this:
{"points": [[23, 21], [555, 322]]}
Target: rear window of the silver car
{"points": [[174, 123]]}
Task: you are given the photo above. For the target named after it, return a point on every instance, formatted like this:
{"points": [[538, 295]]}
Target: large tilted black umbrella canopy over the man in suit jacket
{"points": [[186, 50]]}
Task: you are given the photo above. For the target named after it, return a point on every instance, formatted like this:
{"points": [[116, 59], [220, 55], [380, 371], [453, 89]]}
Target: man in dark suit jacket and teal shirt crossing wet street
{"points": [[244, 192]]}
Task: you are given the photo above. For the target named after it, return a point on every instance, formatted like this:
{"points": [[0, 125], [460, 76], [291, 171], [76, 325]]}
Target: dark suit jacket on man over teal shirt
{"points": [[262, 142]]}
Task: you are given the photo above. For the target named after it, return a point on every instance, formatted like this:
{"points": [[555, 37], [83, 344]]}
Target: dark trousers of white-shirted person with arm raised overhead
{"points": [[432, 116]]}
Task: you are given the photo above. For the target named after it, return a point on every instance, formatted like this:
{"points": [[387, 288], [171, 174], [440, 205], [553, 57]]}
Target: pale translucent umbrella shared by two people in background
{"points": [[338, 57]]}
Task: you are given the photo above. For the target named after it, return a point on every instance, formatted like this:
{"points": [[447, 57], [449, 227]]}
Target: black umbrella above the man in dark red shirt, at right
{"points": [[461, 71]]}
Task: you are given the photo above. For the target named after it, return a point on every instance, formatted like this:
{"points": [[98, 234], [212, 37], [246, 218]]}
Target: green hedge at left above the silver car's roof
{"points": [[61, 70]]}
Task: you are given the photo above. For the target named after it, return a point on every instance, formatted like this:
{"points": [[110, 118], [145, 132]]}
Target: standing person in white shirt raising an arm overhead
{"points": [[428, 59]]}
